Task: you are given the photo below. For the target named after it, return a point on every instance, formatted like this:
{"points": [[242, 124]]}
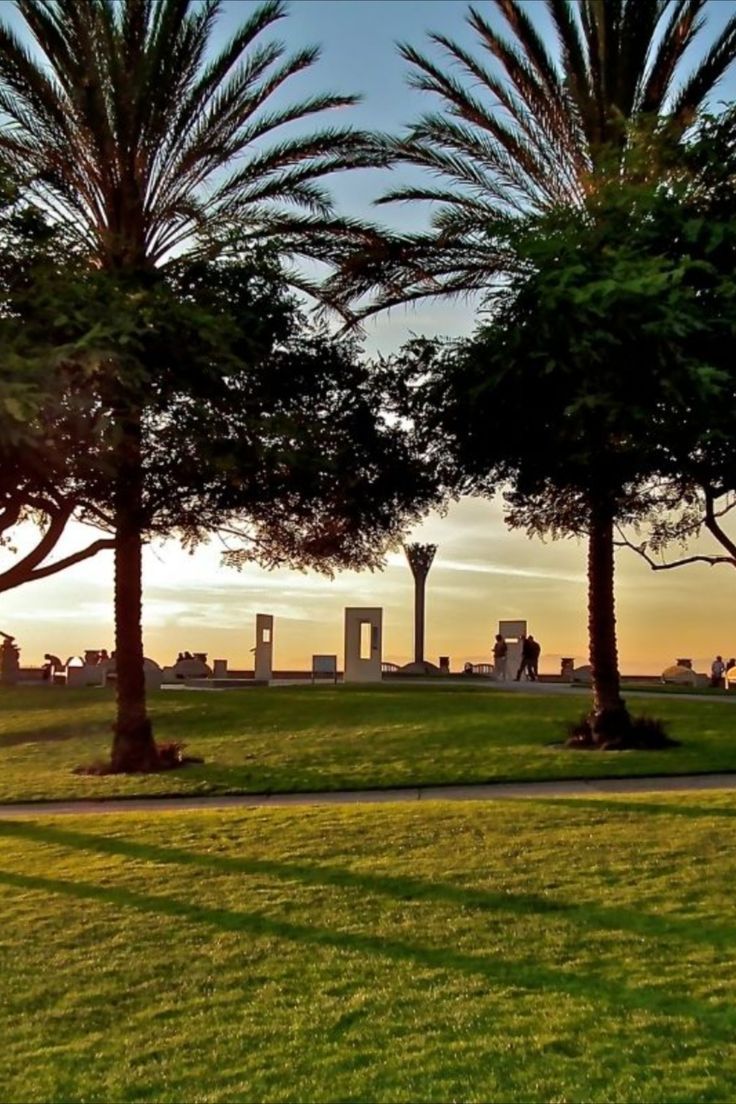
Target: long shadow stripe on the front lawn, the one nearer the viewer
{"points": [[532, 975]]}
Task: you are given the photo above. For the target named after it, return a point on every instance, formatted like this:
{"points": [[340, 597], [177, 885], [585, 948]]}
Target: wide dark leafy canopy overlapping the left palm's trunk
{"points": [[257, 424]]}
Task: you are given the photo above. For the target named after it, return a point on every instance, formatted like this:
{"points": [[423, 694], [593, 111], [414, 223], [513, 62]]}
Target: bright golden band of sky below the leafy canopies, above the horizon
{"points": [[483, 575]]}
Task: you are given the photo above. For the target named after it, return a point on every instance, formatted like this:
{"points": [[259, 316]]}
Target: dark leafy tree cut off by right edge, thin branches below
{"points": [[697, 491]]}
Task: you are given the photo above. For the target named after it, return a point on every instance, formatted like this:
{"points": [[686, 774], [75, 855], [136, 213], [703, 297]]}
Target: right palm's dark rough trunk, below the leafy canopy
{"points": [[610, 719]]}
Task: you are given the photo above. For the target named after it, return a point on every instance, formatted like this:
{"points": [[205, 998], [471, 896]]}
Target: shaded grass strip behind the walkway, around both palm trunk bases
{"points": [[326, 739]]}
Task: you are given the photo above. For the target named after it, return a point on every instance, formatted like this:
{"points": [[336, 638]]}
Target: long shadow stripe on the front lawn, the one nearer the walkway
{"points": [[401, 888]]}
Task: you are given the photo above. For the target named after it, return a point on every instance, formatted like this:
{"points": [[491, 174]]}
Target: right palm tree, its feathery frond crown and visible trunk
{"points": [[536, 120]]}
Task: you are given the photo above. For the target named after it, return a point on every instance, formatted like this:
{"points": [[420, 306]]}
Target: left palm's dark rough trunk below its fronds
{"points": [[133, 747]]}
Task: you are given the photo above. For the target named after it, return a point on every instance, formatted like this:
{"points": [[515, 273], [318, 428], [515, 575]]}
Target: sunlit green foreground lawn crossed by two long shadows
{"points": [[570, 950]]}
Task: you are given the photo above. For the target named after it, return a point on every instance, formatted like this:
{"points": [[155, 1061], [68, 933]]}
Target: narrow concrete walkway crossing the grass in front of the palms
{"points": [[581, 788]]}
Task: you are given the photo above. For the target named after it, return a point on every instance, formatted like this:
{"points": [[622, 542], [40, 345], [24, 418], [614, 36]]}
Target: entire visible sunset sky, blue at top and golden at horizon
{"points": [[483, 572]]}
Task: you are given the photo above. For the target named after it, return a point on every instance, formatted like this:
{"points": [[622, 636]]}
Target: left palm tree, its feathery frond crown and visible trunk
{"points": [[126, 130]]}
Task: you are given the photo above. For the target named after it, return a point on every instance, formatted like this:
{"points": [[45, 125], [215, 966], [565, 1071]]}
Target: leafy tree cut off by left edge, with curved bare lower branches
{"points": [[45, 423]]}
